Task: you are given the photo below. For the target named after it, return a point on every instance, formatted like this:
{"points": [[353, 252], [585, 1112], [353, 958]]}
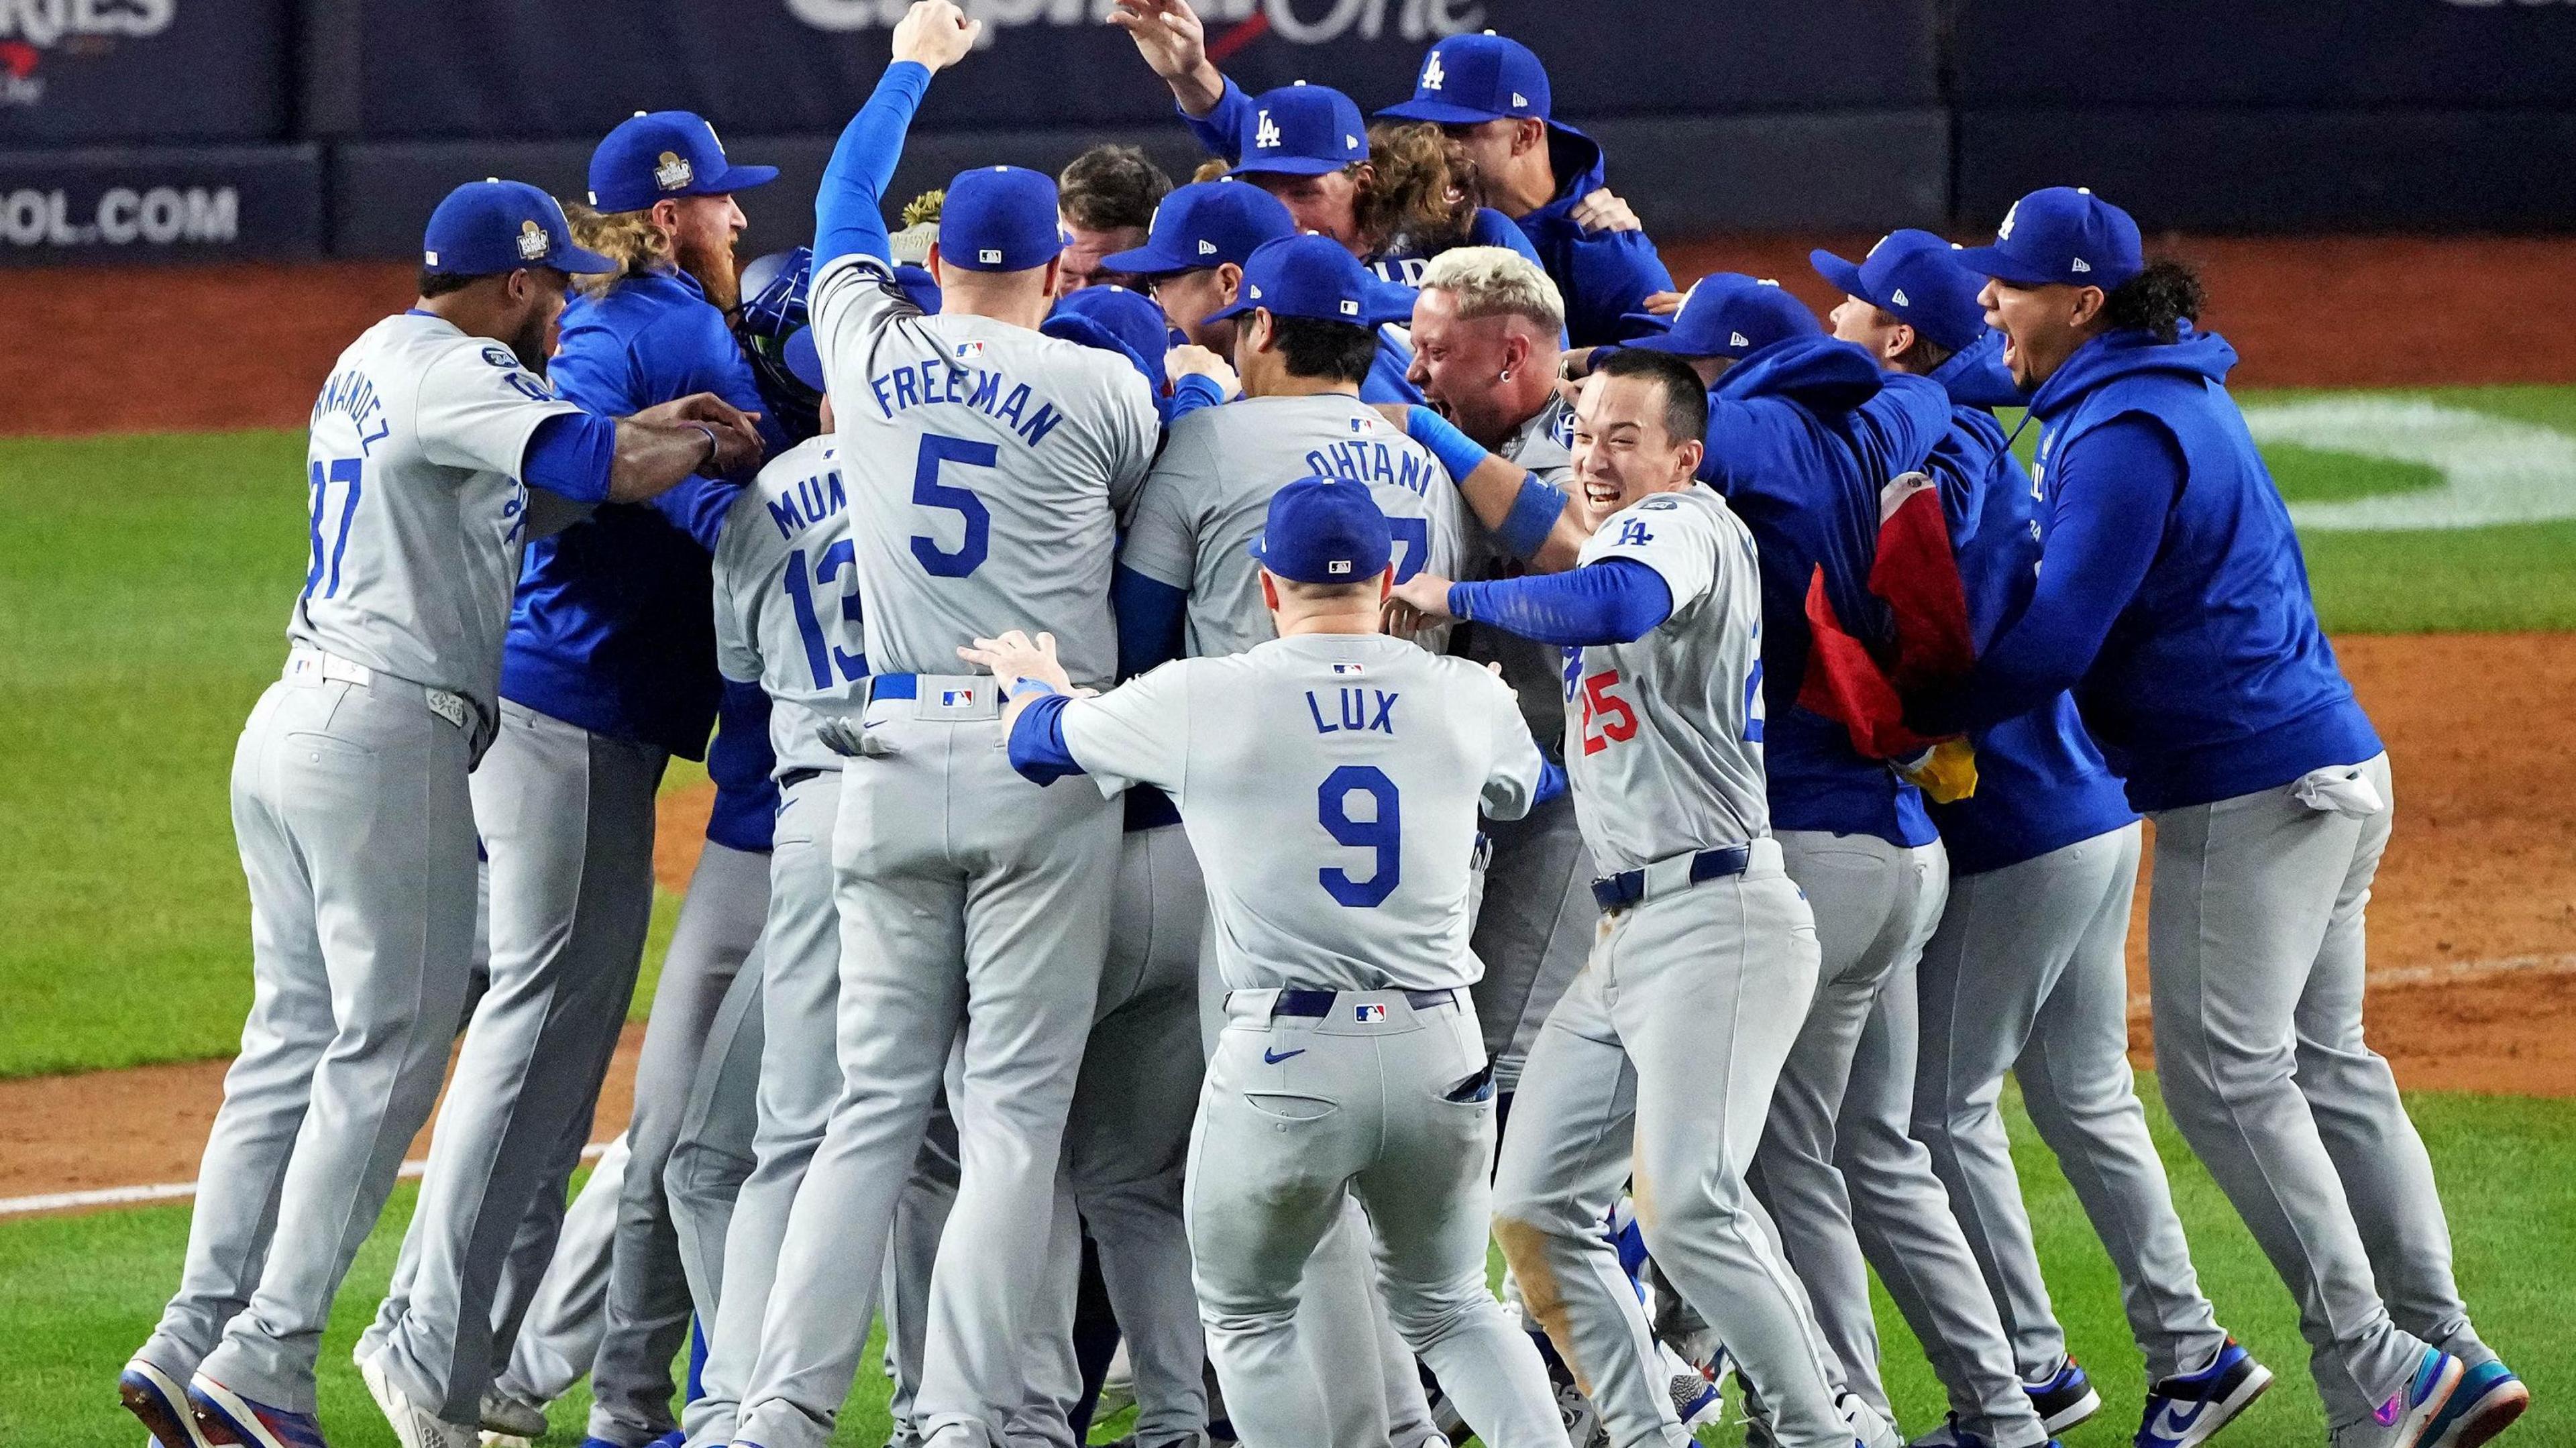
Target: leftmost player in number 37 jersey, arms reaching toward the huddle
{"points": [[349, 790]]}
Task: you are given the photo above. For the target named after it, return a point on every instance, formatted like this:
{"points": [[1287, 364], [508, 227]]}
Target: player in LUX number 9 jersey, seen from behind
{"points": [[1351, 1060]]}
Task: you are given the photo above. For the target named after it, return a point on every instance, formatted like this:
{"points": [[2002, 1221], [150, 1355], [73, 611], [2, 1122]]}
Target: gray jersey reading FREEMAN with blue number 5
{"points": [[985, 465]]}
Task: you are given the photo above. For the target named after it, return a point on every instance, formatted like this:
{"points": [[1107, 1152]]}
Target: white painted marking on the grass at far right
{"points": [[2492, 470]]}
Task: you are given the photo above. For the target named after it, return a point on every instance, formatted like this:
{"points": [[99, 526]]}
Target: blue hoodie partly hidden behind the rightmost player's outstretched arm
{"points": [[2041, 782]]}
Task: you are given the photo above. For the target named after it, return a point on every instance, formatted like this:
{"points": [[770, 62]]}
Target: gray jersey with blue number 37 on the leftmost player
{"points": [[419, 514]]}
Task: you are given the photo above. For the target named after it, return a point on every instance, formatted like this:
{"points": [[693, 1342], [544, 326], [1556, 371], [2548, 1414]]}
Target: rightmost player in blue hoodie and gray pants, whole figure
{"points": [[2175, 604]]}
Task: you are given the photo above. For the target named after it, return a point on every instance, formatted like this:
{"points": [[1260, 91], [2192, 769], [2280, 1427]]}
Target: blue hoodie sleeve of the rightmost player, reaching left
{"points": [[2111, 499]]}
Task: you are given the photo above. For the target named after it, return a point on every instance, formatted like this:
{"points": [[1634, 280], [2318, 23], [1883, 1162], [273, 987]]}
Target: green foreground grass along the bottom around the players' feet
{"points": [[81, 1292]]}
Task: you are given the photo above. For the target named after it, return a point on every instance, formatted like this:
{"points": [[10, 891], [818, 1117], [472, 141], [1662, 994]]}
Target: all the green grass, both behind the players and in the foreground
{"points": [[143, 609]]}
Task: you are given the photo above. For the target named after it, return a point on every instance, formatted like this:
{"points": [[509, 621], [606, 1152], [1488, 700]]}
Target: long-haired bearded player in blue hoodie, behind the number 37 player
{"points": [[607, 674]]}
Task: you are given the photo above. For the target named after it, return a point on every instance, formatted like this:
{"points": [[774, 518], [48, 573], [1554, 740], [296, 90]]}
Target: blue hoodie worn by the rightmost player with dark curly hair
{"points": [[2173, 594]]}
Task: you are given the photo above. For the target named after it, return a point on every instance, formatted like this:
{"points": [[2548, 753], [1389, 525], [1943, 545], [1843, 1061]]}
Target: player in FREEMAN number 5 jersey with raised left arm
{"points": [[985, 468]]}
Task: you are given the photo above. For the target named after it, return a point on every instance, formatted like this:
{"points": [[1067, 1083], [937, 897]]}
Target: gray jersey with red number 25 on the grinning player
{"points": [[1665, 733]]}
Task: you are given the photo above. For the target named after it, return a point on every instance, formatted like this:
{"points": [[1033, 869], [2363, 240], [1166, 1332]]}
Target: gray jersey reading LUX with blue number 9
{"points": [[1331, 790]]}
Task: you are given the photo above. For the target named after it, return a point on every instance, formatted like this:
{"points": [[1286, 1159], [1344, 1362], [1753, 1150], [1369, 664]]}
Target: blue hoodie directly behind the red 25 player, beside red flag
{"points": [[1802, 439]]}
